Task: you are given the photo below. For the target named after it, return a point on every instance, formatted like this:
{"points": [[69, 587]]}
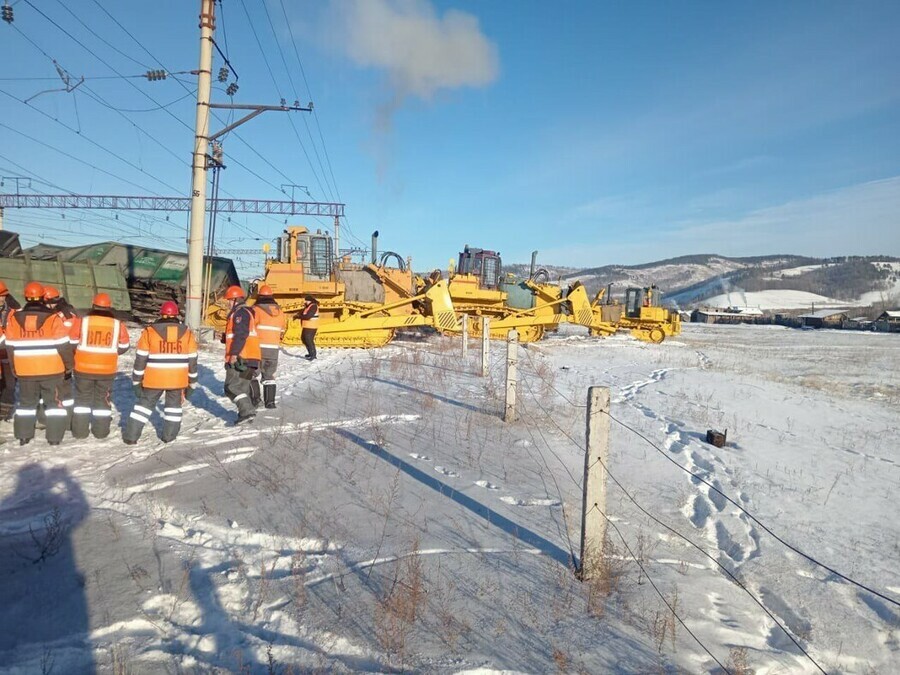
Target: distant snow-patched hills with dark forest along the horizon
{"points": [[692, 280]]}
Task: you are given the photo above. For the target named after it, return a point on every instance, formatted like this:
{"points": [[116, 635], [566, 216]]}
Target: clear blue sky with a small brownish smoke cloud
{"points": [[595, 132]]}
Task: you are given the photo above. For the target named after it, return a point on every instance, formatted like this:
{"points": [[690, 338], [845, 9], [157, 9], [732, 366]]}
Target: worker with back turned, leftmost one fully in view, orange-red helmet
{"points": [[41, 357]]}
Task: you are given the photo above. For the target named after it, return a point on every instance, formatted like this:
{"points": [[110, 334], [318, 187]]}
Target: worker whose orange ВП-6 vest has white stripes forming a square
{"points": [[99, 340]]}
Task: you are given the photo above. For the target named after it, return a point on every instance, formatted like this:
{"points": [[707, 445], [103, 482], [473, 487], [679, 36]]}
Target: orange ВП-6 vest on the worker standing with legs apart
{"points": [[166, 357]]}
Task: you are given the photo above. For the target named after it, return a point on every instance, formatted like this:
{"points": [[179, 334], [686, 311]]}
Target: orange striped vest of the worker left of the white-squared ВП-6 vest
{"points": [[37, 340]]}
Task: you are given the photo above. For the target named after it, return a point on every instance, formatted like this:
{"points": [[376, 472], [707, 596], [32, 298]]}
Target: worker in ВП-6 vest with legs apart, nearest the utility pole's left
{"points": [[165, 363]]}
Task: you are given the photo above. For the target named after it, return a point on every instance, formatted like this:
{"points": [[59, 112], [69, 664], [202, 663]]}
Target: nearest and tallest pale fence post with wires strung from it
{"points": [[593, 508]]}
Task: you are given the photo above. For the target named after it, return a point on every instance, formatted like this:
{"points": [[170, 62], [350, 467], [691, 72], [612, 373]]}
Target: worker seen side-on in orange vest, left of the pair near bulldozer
{"points": [[242, 355]]}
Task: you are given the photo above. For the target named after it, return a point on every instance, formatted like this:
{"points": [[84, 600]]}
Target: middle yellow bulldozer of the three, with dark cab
{"points": [[534, 306]]}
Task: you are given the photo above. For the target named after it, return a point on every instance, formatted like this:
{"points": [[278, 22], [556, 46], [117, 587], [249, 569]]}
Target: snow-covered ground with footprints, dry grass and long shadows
{"points": [[384, 518]]}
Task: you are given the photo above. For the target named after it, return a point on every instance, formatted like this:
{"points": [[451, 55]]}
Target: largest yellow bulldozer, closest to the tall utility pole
{"points": [[360, 305]]}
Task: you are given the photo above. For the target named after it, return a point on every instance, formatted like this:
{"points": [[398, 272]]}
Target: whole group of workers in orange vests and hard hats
{"points": [[63, 365]]}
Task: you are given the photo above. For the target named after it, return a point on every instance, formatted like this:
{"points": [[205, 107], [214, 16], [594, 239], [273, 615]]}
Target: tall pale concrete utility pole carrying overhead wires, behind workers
{"points": [[193, 311]]}
